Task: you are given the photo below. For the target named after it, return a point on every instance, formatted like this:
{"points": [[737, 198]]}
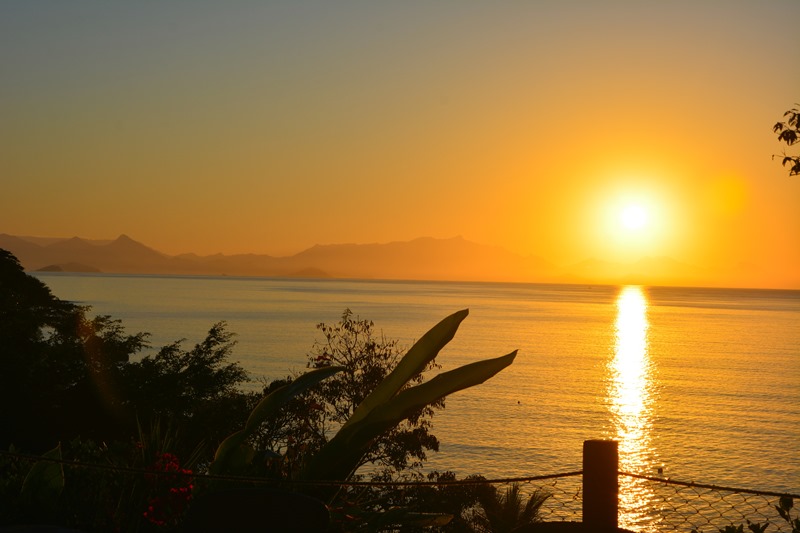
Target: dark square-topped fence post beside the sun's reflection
{"points": [[600, 485]]}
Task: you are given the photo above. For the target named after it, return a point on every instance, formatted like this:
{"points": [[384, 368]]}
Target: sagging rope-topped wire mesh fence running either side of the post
{"points": [[646, 504]]}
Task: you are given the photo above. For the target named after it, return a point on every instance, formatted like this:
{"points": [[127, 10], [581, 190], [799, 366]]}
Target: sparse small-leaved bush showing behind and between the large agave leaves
{"points": [[305, 424]]}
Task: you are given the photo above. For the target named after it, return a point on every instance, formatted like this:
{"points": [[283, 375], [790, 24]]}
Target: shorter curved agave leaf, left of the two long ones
{"points": [[233, 452]]}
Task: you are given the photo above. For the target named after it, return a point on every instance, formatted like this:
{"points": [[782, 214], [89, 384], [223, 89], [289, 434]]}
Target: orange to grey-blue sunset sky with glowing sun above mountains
{"points": [[268, 127]]}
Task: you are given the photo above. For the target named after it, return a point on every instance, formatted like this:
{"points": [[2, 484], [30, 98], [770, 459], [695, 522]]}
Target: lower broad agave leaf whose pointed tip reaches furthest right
{"points": [[341, 455]]}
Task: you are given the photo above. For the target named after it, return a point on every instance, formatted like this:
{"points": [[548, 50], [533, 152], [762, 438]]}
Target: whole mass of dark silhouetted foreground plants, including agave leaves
{"points": [[171, 441]]}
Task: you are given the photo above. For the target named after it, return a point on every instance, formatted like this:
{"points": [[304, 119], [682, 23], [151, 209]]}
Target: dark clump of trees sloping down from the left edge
{"points": [[68, 375]]}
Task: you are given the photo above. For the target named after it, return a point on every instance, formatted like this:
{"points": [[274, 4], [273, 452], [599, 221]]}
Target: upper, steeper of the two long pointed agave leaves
{"points": [[414, 362]]}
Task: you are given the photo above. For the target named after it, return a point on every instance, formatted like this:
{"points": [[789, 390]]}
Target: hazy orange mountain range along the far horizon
{"points": [[454, 259]]}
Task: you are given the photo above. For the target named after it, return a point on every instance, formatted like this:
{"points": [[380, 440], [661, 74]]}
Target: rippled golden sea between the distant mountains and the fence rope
{"points": [[696, 384]]}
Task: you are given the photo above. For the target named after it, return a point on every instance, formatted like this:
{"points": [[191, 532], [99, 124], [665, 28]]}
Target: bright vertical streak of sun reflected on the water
{"points": [[631, 396]]}
